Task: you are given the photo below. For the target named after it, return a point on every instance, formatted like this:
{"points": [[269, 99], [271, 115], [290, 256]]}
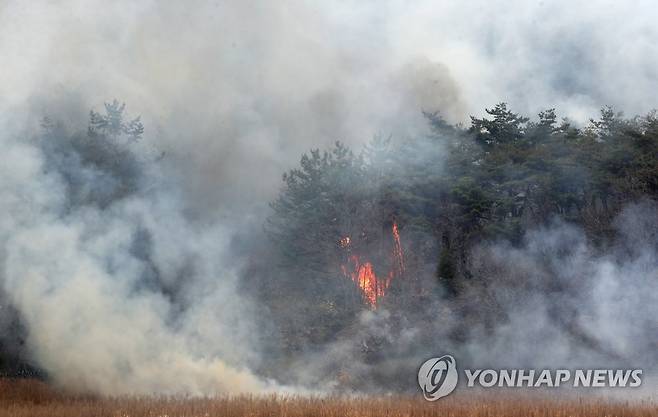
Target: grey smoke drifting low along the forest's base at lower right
{"points": [[554, 302]]}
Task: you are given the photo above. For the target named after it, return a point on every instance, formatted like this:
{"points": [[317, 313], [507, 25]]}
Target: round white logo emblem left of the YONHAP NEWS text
{"points": [[437, 377]]}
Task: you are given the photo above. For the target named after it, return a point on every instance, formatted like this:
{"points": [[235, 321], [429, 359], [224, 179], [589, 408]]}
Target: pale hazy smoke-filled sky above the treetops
{"points": [[254, 84]]}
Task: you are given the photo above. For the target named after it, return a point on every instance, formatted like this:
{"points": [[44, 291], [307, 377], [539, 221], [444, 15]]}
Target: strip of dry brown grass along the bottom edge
{"points": [[28, 398]]}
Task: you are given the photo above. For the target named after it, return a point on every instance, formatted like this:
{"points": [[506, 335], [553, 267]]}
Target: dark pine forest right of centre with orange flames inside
{"points": [[448, 195]]}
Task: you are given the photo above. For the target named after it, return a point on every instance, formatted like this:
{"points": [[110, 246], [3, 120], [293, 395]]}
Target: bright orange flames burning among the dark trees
{"points": [[362, 272]]}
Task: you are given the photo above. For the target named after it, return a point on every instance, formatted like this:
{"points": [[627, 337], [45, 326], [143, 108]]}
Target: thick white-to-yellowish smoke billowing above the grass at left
{"points": [[127, 298]]}
